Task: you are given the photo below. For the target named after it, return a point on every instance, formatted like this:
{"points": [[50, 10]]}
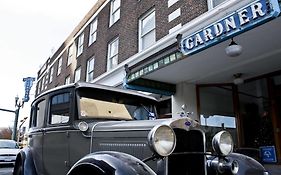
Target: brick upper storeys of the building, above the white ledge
{"points": [[96, 34]]}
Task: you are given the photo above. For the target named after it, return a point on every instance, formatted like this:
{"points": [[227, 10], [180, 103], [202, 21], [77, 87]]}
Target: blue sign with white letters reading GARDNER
{"points": [[246, 18]]}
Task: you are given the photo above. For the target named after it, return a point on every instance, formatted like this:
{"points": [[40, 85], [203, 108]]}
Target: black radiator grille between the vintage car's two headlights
{"points": [[188, 157]]}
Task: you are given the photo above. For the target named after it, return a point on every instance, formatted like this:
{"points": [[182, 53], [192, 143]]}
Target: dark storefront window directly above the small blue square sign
{"points": [[255, 114]]}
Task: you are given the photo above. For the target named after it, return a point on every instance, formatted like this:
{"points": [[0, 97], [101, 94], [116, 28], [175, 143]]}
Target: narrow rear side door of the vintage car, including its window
{"points": [[35, 135]]}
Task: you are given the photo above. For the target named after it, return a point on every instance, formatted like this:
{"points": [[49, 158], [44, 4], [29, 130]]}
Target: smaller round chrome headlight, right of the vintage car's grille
{"points": [[222, 143]]}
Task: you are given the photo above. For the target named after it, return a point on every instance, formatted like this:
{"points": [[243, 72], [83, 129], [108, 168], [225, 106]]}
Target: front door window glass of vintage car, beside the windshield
{"points": [[60, 105]]}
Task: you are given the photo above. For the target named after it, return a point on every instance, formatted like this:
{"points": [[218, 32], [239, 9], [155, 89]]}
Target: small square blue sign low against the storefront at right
{"points": [[268, 154]]}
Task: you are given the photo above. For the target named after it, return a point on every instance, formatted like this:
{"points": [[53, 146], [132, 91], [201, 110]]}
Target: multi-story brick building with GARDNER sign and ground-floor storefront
{"points": [[185, 52]]}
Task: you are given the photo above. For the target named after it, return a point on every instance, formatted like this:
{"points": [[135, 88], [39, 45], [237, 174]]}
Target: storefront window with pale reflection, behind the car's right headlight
{"points": [[216, 111]]}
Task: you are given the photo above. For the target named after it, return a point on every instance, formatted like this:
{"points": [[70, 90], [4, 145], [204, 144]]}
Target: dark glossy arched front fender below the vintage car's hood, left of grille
{"points": [[110, 163]]}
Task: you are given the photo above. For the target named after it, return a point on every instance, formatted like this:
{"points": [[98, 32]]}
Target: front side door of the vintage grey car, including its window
{"points": [[55, 151]]}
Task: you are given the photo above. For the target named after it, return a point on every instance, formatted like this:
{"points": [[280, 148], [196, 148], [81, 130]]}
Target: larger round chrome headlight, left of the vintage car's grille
{"points": [[162, 140]]}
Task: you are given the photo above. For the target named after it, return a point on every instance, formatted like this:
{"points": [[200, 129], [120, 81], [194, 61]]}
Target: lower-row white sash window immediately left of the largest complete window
{"points": [[112, 60]]}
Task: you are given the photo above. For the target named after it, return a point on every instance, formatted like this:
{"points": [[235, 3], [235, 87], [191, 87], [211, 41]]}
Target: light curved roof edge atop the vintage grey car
{"points": [[96, 86]]}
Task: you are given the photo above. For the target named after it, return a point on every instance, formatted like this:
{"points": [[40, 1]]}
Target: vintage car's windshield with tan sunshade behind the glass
{"points": [[105, 105]]}
